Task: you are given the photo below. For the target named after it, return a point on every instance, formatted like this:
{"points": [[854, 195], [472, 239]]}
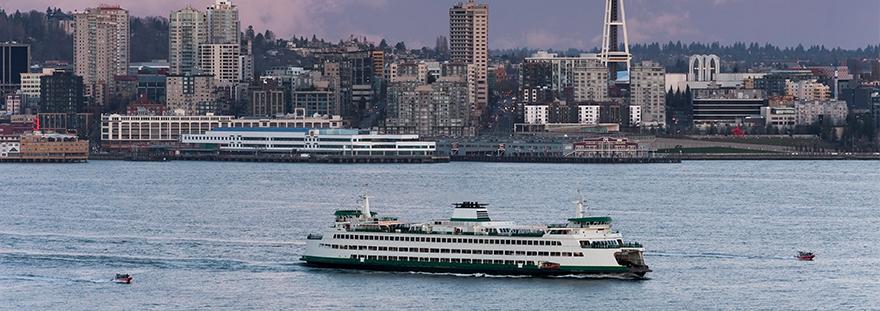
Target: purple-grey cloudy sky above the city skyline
{"points": [[544, 23]]}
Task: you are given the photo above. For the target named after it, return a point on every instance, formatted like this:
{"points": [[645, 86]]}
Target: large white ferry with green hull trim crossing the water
{"points": [[470, 242]]}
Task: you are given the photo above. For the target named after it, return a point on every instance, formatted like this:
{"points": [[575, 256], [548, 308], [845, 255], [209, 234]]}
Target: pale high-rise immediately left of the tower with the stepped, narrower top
{"points": [[188, 29]]}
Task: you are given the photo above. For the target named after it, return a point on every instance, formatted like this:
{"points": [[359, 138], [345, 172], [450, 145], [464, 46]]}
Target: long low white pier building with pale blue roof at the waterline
{"points": [[313, 141]]}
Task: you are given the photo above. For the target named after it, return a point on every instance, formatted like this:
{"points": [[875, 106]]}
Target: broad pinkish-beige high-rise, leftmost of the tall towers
{"points": [[101, 49]]}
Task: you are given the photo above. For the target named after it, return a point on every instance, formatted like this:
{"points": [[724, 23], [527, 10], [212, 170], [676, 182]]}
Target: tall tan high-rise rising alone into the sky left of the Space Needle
{"points": [[468, 42]]}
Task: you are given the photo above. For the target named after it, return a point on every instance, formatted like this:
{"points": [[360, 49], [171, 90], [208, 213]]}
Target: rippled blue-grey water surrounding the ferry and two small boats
{"points": [[208, 235]]}
